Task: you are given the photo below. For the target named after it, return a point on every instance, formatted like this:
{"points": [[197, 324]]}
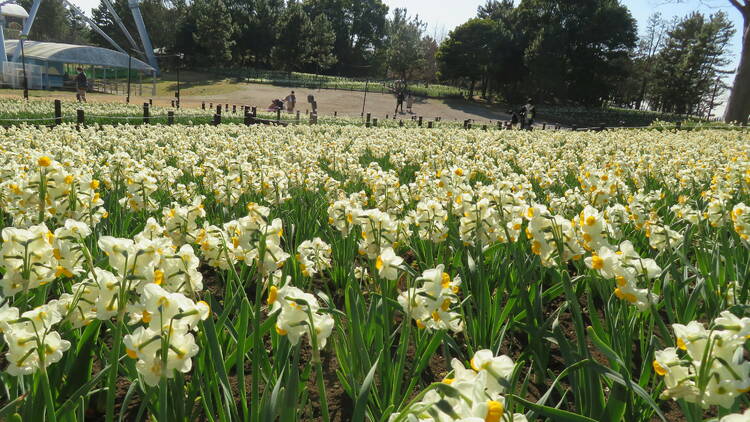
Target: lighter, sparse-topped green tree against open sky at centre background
{"points": [[404, 53]]}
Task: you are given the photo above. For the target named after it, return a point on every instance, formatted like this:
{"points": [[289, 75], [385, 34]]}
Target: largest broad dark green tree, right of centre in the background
{"points": [[574, 49]]}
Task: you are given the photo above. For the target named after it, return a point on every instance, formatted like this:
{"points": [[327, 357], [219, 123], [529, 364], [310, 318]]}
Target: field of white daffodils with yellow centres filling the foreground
{"points": [[337, 273]]}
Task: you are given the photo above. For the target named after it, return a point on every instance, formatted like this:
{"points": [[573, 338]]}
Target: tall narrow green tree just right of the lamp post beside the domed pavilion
{"points": [[213, 31]]}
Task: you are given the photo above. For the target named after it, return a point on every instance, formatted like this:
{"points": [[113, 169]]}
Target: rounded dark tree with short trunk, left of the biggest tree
{"points": [[466, 53]]}
